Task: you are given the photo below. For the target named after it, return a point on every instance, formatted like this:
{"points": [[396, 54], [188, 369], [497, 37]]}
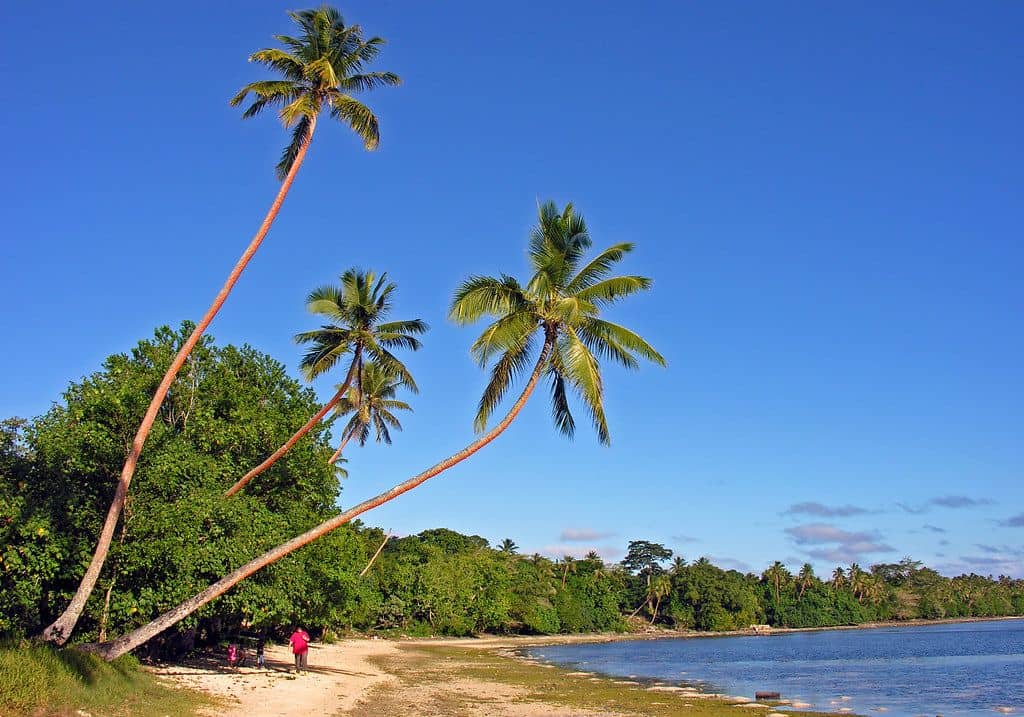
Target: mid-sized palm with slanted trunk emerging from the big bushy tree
{"points": [[358, 309]]}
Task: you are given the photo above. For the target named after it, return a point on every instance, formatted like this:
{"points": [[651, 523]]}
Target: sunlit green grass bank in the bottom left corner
{"points": [[42, 682]]}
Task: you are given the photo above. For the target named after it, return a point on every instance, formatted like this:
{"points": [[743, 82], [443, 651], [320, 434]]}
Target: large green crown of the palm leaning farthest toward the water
{"points": [[561, 308]]}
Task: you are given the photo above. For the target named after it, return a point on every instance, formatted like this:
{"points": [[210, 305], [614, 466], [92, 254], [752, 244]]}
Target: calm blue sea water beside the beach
{"points": [[967, 669]]}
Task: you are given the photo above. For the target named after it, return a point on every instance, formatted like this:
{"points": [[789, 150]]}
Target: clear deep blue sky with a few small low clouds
{"points": [[829, 199]]}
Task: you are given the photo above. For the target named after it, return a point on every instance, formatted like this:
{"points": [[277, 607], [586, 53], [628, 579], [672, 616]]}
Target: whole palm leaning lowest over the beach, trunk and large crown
{"points": [[556, 315]]}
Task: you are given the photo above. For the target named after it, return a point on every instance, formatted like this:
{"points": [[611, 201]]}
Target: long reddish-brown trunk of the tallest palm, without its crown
{"points": [[62, 629]]}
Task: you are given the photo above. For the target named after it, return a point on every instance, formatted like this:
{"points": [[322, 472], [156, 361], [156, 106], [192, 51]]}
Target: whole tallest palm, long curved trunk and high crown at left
{"points": [[322, 69]]}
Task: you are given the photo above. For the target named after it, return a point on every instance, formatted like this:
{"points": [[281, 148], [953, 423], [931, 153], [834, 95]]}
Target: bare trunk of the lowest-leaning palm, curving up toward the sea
{"points": [[134, 640]]}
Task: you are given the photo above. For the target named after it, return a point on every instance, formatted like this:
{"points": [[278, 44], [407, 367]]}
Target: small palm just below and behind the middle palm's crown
{"points": [[371, 402]]}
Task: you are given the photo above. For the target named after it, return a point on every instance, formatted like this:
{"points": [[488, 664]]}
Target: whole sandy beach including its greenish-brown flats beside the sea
{"points": [[476, 678]]}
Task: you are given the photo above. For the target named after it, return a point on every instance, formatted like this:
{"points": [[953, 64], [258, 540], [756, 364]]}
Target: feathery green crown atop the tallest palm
{"points": [[322, 69]]}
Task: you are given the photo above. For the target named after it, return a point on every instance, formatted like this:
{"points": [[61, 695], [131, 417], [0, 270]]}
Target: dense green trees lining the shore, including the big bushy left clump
{"points": [[180, 534]]}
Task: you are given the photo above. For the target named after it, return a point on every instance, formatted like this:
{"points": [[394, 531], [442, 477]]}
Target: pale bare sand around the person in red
{"points": [[338, 677]]}
